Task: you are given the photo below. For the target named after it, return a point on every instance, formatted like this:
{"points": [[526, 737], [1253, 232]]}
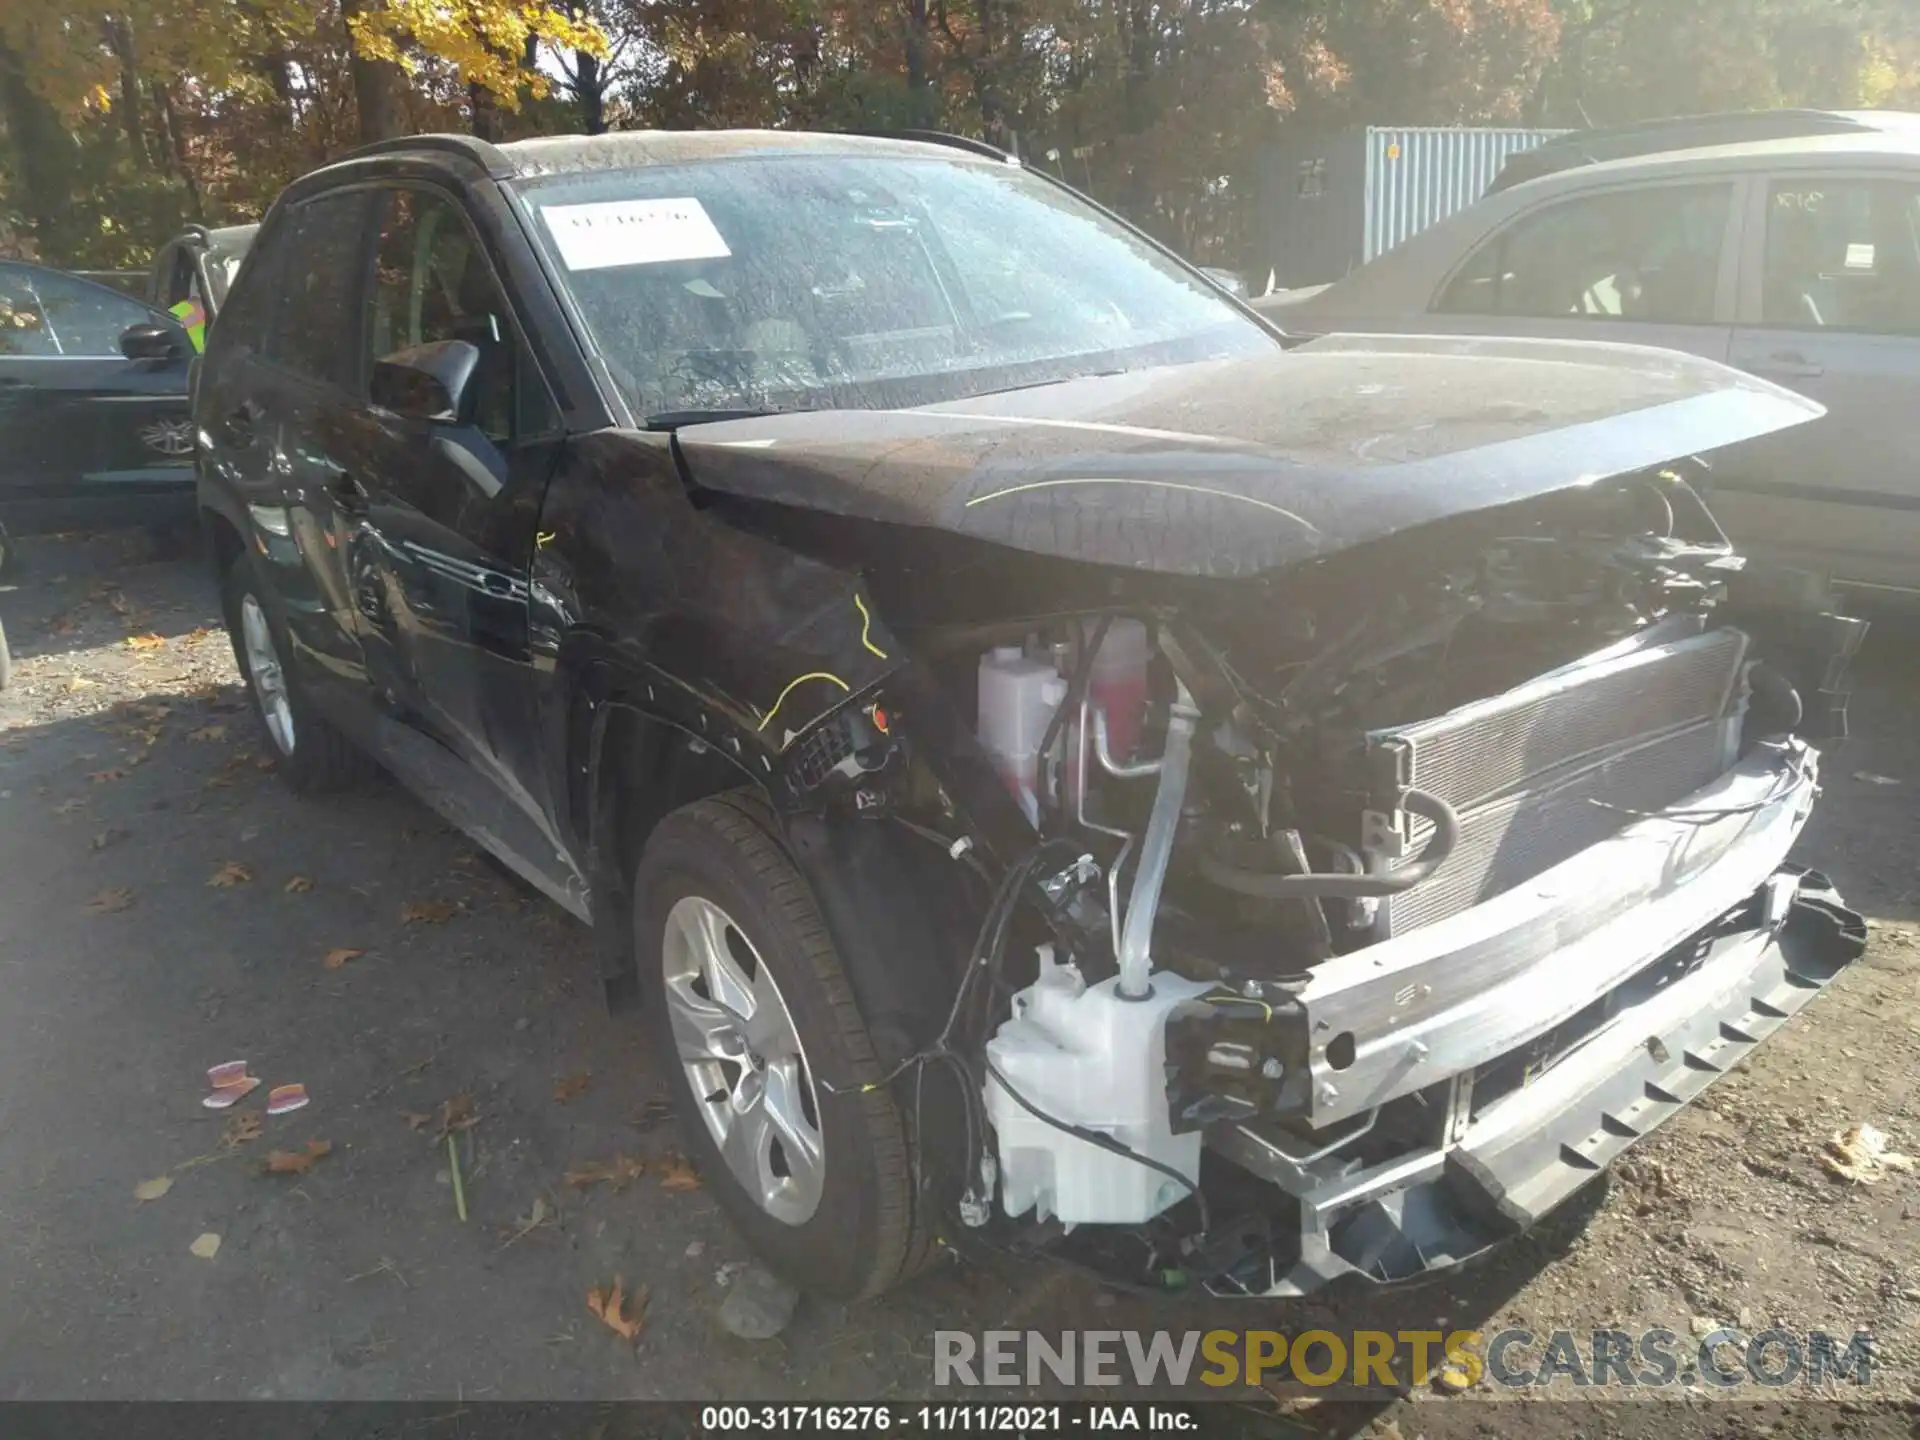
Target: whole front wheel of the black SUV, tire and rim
{"points": [[775, 1067]]}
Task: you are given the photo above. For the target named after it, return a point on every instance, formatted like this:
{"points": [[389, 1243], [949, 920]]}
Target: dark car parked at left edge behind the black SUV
{"points": [[93, 406]]}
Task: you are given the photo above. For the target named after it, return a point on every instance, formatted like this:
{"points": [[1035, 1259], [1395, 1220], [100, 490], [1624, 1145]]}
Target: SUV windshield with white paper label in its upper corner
{"points": [[853, 281]]}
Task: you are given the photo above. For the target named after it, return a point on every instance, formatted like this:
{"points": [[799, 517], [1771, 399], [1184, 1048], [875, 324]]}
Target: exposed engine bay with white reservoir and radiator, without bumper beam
{"points": [[1228, 788]]}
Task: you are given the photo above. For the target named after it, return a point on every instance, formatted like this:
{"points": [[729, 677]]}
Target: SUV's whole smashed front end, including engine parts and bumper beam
{"points": [[1343, 923]]}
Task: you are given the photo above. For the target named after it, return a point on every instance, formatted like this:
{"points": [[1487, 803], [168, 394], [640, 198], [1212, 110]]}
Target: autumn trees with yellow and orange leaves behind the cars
{"points": [[124, 118]]}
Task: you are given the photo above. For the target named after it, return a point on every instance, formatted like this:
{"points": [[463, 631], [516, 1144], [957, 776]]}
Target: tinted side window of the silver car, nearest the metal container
{"points": [[1646, 256]]}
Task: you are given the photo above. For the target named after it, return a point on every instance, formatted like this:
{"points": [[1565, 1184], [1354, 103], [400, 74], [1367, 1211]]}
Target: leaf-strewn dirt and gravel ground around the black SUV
{"points": [[166, 905]]}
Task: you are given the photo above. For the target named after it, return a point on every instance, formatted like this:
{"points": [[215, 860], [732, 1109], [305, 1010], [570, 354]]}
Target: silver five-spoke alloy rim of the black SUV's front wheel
{"points": [[746, 1067]]}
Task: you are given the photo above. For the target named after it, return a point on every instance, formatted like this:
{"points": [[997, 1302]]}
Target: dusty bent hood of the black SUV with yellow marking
{"points": [[1245, 466]]}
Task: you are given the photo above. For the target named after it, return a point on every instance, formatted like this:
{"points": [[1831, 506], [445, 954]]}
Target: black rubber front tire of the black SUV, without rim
{"points": [[867, 1234]]}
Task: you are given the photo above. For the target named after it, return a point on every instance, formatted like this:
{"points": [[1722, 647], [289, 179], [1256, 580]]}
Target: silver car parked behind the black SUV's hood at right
{"points": [[1792, 258]]}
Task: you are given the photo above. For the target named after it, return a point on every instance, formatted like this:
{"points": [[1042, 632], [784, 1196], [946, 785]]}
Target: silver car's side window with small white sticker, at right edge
{"points": [[1842, 254]]}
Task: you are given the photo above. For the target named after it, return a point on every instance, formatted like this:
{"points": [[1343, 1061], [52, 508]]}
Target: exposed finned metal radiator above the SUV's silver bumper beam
{"points": [[1556, 765]]}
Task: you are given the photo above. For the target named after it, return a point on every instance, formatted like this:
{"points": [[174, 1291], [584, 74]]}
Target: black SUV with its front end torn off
{"points": [[1015, 723]]}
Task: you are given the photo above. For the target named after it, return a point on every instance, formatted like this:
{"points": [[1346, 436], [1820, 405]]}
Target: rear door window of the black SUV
{"points": [[324, 258]]}
